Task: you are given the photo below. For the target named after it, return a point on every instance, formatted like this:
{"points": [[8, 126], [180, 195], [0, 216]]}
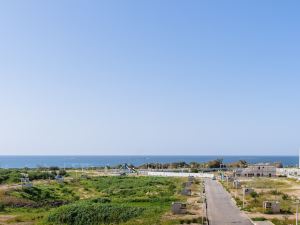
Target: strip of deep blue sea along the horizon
{"points": [[88, 161]]}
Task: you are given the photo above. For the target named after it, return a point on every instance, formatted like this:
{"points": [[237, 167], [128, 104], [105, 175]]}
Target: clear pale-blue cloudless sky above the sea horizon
{"points": [[150, 77]]}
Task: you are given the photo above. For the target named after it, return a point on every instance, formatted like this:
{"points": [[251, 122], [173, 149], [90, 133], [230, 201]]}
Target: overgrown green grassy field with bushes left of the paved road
{"points": [[127, 200]]}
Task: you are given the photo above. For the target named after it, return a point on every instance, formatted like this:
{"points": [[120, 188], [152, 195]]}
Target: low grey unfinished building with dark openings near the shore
{"points": [[257, 170]]}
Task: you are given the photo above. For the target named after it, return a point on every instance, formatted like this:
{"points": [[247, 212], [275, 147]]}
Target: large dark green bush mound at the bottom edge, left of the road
{"points": [[86, 213]]}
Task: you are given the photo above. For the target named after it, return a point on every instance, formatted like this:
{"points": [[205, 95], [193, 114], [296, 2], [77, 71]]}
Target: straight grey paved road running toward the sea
{"points": [[220, 208]]}
